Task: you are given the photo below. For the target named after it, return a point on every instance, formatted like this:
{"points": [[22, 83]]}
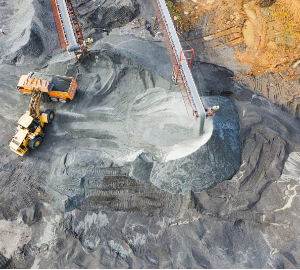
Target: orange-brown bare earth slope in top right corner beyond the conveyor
{"points": [[258, 40]]}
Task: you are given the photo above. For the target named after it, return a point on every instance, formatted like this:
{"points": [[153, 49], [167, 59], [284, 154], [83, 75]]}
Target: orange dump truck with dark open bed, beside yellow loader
{"points": [[59, 88]]}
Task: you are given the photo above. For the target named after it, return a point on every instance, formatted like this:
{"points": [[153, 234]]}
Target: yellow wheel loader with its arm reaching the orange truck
{"points": [[30, 126]]}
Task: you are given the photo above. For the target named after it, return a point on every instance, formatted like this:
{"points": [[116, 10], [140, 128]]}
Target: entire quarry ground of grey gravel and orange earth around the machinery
{"points": [[121, 179]]}
